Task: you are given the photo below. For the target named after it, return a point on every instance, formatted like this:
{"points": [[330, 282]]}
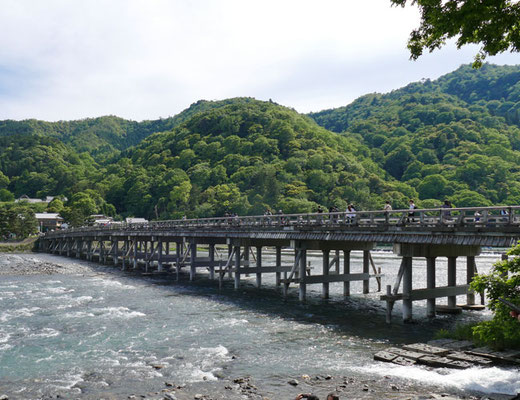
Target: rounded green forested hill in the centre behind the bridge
{"points": [[244, 156]]}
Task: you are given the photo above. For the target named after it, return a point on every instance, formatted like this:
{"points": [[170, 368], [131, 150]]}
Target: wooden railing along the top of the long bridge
{"points": [[478, 217]]}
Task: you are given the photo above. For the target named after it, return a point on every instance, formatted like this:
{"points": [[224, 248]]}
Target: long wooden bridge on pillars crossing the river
{"points": [[429, 233]]}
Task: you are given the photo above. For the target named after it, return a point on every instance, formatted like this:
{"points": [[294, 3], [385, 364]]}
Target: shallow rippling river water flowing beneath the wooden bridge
{"points": [[79, 330]]}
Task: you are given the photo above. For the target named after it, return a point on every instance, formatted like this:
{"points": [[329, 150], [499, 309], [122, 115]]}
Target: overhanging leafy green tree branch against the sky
{"points": [[494, 24]]}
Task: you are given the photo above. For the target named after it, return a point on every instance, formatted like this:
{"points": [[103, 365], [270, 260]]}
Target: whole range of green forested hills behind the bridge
{"points": [[457, 137]]}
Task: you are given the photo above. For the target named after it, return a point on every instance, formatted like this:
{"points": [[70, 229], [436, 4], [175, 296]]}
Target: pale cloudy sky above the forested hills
{"points": [[150, 59]]}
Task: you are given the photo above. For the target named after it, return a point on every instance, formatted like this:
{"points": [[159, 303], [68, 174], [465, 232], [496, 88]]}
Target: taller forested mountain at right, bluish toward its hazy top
{"points": [[456, 137]]}
